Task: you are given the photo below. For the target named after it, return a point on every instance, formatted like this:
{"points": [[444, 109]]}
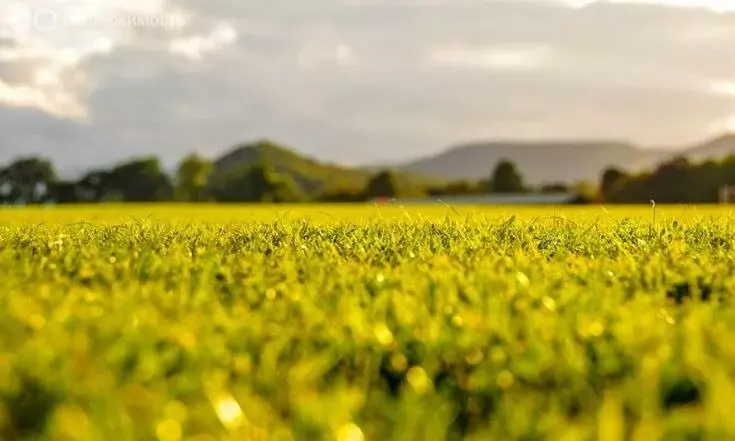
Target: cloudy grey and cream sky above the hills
{"points": [[93, 82]]}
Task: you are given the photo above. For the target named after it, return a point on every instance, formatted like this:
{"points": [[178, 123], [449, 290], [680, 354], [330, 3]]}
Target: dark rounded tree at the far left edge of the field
{"points": [[27, 181]]}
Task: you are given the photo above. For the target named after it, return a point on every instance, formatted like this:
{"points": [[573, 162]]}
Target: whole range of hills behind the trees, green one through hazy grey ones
{"points": [[540, 162]]}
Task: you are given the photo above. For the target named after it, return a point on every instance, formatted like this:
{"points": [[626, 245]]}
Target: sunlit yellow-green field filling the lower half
{"points": [[377, 323]]}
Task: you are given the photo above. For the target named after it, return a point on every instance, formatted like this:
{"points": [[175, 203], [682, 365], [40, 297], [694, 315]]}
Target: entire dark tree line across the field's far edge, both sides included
{"points": [[34, 180]]}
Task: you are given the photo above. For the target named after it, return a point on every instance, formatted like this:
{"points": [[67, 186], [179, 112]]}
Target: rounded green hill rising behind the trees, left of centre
{"points": [[311, 174]]}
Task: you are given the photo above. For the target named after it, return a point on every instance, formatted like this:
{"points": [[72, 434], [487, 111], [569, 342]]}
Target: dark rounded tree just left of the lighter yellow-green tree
{"points": [[140, 180]]}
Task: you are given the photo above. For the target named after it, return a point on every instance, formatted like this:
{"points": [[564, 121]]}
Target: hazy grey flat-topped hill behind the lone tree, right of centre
{"points": [[540, 162]]}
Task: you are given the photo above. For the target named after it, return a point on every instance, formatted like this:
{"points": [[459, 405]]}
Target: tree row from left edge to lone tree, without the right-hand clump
{"points": [[35, 180]]}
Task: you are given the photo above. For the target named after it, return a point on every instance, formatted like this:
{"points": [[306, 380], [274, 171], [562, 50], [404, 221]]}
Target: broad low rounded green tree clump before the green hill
{"points": [[255, 184]]}
